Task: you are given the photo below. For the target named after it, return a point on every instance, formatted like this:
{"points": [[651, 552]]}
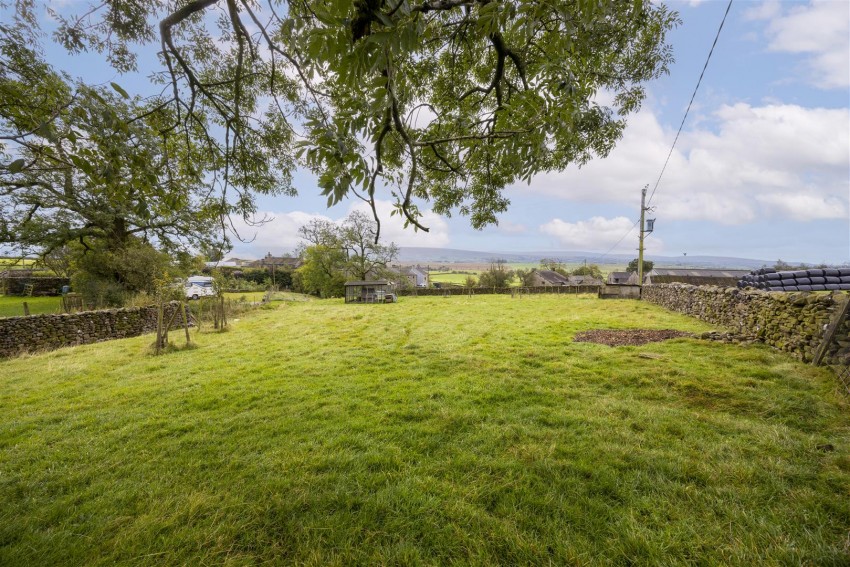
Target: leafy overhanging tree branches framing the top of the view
{"points": [[440, 101]]}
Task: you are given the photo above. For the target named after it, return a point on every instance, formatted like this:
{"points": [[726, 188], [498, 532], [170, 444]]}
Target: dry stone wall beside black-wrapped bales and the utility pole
{"points": [[792, 322]]}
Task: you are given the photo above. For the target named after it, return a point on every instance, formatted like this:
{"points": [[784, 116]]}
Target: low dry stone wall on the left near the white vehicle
{"points": [[48, 332]]}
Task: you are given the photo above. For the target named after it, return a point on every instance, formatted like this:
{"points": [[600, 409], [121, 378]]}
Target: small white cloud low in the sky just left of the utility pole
{"points": [[597, 234]]}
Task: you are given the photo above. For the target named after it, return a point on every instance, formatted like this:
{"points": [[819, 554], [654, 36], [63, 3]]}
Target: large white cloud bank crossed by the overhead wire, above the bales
{"points": [[740, 166]]}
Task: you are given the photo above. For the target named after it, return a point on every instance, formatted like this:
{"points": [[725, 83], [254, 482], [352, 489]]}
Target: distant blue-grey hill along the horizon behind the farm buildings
{"points": [[448, 255]]}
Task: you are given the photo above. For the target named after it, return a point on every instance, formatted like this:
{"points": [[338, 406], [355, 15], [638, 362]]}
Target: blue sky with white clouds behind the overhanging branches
{"points": [[761, 170]]}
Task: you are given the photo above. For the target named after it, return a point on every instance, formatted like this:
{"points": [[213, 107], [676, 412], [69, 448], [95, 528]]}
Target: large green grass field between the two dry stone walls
{"points": [[432, 431]]}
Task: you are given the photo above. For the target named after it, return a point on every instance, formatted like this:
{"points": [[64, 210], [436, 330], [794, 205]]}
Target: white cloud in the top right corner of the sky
{"points": [[820, 30]]}
